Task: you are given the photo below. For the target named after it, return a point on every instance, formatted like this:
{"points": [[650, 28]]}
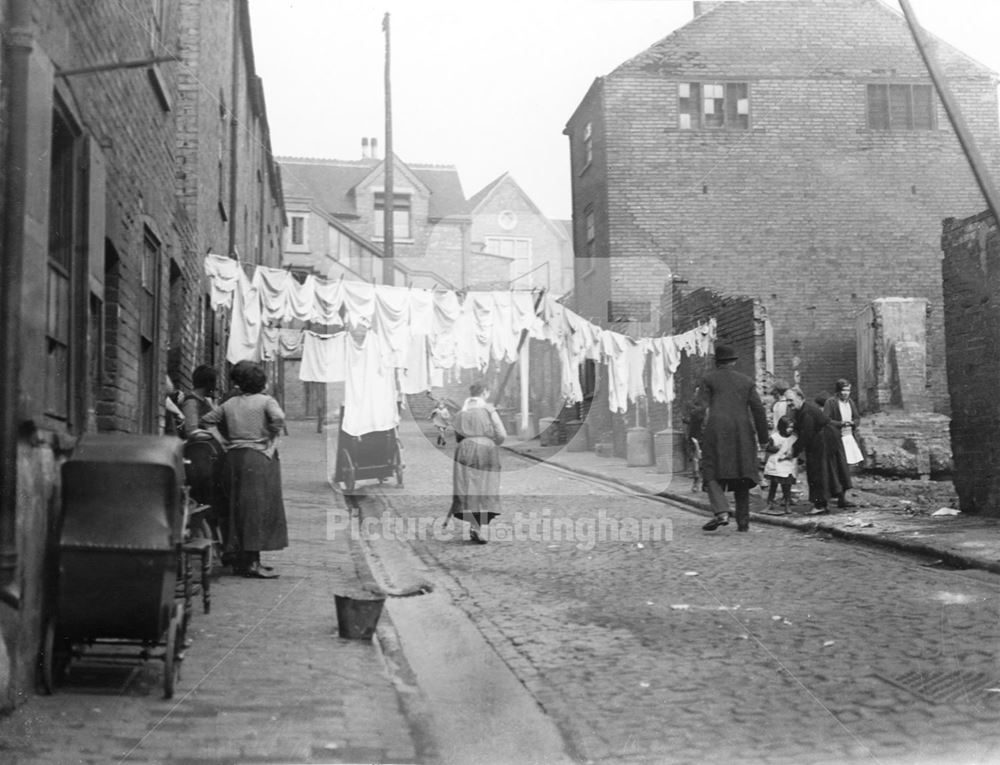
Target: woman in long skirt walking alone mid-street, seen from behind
{"points": [[476, 474]]}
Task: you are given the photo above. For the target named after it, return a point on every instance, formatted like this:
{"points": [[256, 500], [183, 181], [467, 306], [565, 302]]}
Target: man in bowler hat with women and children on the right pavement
{"points": [[729, 425]]}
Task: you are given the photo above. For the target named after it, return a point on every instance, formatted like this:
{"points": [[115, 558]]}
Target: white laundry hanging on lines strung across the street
{"points": [[420, 334]]}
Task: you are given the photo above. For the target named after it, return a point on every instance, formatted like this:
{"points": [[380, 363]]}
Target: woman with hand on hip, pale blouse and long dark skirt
{"points": [[251, 472]]}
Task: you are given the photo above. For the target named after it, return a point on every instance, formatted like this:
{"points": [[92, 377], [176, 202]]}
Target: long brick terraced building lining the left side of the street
{"points": [[109, 201]]}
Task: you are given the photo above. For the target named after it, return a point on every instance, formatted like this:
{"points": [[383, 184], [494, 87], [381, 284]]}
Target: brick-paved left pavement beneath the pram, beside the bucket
{"points": [[266, 677]]}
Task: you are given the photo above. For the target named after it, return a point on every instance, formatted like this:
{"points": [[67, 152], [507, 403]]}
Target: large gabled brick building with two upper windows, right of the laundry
{"points": [[791, 151]]}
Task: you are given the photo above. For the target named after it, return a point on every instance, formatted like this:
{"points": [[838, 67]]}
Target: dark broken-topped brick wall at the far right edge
{"points": [[971, 278]]}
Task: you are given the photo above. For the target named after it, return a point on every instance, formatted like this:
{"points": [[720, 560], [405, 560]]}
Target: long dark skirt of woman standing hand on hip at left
{"points": [[256, 510]]}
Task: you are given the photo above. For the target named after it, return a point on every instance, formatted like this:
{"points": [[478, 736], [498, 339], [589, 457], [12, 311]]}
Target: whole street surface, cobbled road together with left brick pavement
{"points": [[557, 640]]}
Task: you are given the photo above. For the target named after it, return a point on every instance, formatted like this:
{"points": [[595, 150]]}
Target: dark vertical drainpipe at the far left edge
{"points": [[18, 41]]}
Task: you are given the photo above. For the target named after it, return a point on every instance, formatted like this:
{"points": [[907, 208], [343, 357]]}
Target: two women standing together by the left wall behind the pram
{"points": [[244, 484]]}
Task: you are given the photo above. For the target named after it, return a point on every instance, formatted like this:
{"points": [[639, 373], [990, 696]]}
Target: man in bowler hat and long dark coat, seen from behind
{"points": [[729, 446]]}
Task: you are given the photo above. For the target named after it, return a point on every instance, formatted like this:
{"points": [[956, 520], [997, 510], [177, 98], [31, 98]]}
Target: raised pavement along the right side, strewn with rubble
{"points": [[958, 541]]}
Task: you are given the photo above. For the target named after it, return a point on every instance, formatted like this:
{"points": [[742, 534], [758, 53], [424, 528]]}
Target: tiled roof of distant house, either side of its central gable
{"points": [[331, 182]]}
